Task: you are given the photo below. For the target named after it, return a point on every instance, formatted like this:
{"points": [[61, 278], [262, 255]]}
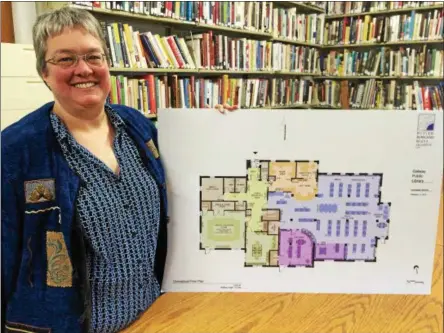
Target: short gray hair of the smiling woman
{"points": [[54, 22]]}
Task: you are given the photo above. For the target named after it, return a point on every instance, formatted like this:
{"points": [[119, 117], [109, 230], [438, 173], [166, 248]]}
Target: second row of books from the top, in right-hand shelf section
{"points": [[371, 30]]}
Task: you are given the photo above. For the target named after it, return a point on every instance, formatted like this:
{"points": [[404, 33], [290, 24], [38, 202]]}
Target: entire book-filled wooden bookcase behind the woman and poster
{"points": [[227, 46]]}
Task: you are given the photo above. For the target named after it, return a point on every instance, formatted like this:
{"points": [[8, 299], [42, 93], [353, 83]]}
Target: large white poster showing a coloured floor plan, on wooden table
{"points": [[302, 201]]}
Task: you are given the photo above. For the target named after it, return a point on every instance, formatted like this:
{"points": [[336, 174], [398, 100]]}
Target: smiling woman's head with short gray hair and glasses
{"points": [[72, 60]]}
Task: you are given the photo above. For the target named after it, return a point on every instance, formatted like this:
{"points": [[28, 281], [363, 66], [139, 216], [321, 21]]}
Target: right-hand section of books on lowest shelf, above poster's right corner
{"points": [[395, 96]]}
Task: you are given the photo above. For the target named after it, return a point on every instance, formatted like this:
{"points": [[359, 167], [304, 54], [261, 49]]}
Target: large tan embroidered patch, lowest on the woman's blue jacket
{"points": [[59, 271]]}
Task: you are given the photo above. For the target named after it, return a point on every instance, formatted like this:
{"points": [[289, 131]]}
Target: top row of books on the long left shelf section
{"points": [[253, 16]]}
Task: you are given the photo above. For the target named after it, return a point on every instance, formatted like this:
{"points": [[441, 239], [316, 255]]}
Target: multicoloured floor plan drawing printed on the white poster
{"points": [[288, 214]]}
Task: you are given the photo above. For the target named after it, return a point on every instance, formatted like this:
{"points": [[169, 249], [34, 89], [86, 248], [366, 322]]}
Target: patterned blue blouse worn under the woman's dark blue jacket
{"points": [[120, 215]]}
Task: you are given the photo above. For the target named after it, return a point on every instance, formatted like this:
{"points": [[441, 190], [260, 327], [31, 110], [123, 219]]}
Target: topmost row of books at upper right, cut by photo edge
{"points": [[357, 7]]}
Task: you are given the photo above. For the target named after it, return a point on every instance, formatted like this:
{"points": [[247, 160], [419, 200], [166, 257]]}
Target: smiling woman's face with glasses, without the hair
{"points": [[81, 86]]}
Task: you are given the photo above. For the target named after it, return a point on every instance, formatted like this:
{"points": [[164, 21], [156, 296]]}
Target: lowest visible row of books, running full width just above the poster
{"points": [[149, 93]]}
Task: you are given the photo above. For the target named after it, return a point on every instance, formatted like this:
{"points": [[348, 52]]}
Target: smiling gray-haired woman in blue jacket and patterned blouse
{"points": [[84, 205]]}
